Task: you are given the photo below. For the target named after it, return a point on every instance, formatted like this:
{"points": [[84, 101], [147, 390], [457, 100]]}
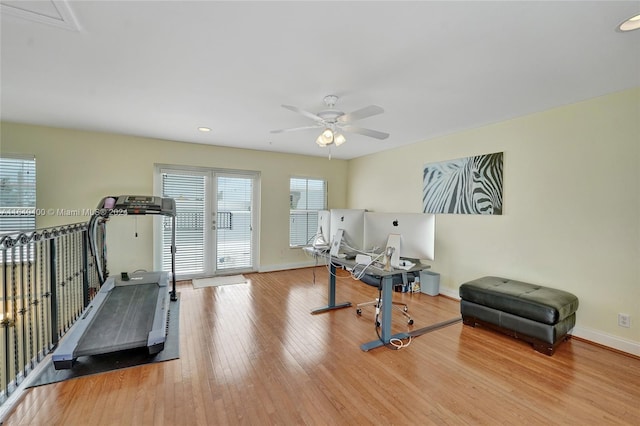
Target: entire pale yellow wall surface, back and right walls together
{"points": [[571, 198]]}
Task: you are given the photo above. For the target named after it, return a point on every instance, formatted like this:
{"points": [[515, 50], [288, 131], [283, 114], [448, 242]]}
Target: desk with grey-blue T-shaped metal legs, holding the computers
{"points": [[387, 294]]}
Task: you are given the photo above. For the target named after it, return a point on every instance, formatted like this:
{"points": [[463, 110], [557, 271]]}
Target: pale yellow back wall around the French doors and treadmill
{"points": [[75, 169]]}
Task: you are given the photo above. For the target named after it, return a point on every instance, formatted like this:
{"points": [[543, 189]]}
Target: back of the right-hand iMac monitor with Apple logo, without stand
{"points": [[416, 230]]}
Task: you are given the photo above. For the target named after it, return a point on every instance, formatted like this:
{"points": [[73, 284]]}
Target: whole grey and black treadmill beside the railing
{"points": [[131, 310]]}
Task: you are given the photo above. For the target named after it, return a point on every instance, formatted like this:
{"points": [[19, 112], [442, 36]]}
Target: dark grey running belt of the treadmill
{"points": [[124, 321]]}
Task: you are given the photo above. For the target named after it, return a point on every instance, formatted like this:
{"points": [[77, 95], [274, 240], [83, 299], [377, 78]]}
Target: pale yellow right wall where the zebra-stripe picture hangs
{"points": [[571, 207]]}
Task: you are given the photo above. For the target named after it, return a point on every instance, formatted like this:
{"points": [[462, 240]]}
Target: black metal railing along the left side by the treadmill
{"points": [[47, 278]]}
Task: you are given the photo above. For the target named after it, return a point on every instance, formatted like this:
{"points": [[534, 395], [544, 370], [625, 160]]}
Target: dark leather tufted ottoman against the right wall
{"points": [[540, 315]]}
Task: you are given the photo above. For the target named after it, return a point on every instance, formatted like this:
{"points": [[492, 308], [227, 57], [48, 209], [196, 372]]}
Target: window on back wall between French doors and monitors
{"points": [[306, 197]]}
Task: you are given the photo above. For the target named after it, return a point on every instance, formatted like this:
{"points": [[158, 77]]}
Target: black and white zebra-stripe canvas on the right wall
{"points": [[471, 185]]}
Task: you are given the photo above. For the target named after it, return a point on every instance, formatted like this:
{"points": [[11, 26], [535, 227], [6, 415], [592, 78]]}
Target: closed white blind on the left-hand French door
{"points": [[189, 193]]}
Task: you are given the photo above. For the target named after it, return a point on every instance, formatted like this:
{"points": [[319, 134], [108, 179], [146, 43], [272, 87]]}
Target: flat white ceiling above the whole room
{"points": [[161, 69]]}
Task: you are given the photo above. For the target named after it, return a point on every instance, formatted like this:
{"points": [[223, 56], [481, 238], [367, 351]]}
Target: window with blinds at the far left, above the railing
{"points": [[17, 193]]}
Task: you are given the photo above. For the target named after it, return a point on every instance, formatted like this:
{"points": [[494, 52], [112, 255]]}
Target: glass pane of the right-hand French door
{"points": [[233, 222]]}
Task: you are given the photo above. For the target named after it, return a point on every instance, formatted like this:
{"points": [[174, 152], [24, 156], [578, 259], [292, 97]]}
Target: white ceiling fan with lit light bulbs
{"points": [[333, 121]]}
